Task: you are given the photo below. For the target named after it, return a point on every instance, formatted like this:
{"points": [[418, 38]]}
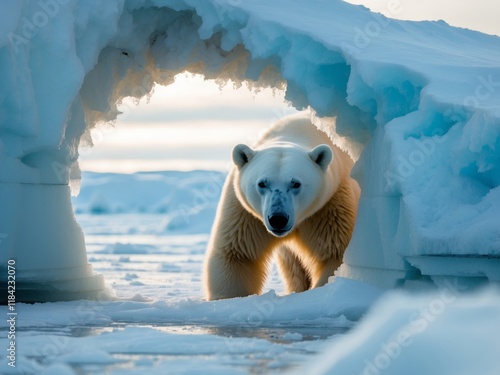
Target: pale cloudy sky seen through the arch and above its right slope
{"points": [[191, 123]]}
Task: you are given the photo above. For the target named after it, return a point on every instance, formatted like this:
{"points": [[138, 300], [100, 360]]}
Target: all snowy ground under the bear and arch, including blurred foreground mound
{"points": [[157, 321]]}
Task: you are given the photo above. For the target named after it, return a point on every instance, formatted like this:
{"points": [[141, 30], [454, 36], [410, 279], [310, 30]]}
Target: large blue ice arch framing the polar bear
{"points": [[421, 99]]}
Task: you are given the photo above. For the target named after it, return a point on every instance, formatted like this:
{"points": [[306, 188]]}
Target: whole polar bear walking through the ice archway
{"points": [[291, 194]]}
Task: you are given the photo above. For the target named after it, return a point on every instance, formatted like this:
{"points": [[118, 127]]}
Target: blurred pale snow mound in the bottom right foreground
{"points": [[419, 335]]}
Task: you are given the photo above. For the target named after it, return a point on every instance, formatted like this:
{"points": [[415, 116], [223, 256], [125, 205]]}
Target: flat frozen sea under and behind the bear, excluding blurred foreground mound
{"points": [[148, 239]]}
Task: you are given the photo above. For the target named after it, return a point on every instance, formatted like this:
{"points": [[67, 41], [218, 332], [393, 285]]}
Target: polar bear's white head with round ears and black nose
{"points": [[283, 184]]}
